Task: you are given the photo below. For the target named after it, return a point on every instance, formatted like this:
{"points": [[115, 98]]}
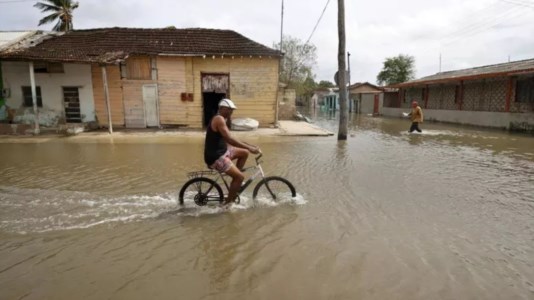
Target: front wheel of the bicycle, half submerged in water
{"points": [[274, 188]]}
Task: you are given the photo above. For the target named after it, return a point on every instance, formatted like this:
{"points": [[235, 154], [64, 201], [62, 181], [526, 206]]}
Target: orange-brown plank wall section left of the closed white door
{"points": [[115, 95]]}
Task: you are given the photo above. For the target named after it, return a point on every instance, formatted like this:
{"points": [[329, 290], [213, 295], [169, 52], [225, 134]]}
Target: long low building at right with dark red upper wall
{"points": [[499, 96]]}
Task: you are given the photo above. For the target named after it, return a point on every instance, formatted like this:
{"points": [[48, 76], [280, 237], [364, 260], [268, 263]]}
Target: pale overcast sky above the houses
{"points": [[467, 33]]}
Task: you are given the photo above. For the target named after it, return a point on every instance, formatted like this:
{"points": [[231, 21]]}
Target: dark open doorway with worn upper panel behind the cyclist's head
{"points": [[214, 88]]}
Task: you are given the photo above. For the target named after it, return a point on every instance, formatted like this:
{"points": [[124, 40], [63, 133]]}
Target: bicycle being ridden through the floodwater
{"points": [[202, 188]]}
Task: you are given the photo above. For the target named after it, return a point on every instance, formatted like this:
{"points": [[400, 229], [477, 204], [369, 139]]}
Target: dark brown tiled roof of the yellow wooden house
{"points": [[109, 45]]}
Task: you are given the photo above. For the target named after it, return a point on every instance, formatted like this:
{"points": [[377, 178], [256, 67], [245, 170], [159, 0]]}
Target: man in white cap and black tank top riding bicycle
{"points": [[221, 148]]}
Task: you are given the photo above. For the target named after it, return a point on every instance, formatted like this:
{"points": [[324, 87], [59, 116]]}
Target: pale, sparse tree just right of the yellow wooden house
{"points": [[298, 61]]}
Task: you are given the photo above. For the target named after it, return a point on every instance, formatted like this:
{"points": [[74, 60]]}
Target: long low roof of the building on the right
{"points": [[505, 69]]}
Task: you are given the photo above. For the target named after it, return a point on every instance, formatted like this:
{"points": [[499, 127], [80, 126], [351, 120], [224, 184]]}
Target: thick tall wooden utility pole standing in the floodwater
{"points": [[342, 73]]}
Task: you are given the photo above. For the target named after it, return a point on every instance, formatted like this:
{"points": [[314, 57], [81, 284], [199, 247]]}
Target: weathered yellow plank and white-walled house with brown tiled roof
{"points": [[137, 78]]}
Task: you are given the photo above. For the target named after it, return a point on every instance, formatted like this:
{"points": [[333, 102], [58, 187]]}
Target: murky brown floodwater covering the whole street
{"points": [[447, 214]]}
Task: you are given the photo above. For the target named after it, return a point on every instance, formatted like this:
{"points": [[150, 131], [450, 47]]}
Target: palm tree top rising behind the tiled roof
{"points": [[61, 11]]}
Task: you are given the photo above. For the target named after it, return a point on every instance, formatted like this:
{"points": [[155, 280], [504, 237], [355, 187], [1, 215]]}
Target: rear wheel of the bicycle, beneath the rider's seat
{"points": [[201, 190]]}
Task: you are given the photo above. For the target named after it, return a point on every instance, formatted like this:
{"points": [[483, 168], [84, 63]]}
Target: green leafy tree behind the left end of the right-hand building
{"points": [[396, 70]]}
